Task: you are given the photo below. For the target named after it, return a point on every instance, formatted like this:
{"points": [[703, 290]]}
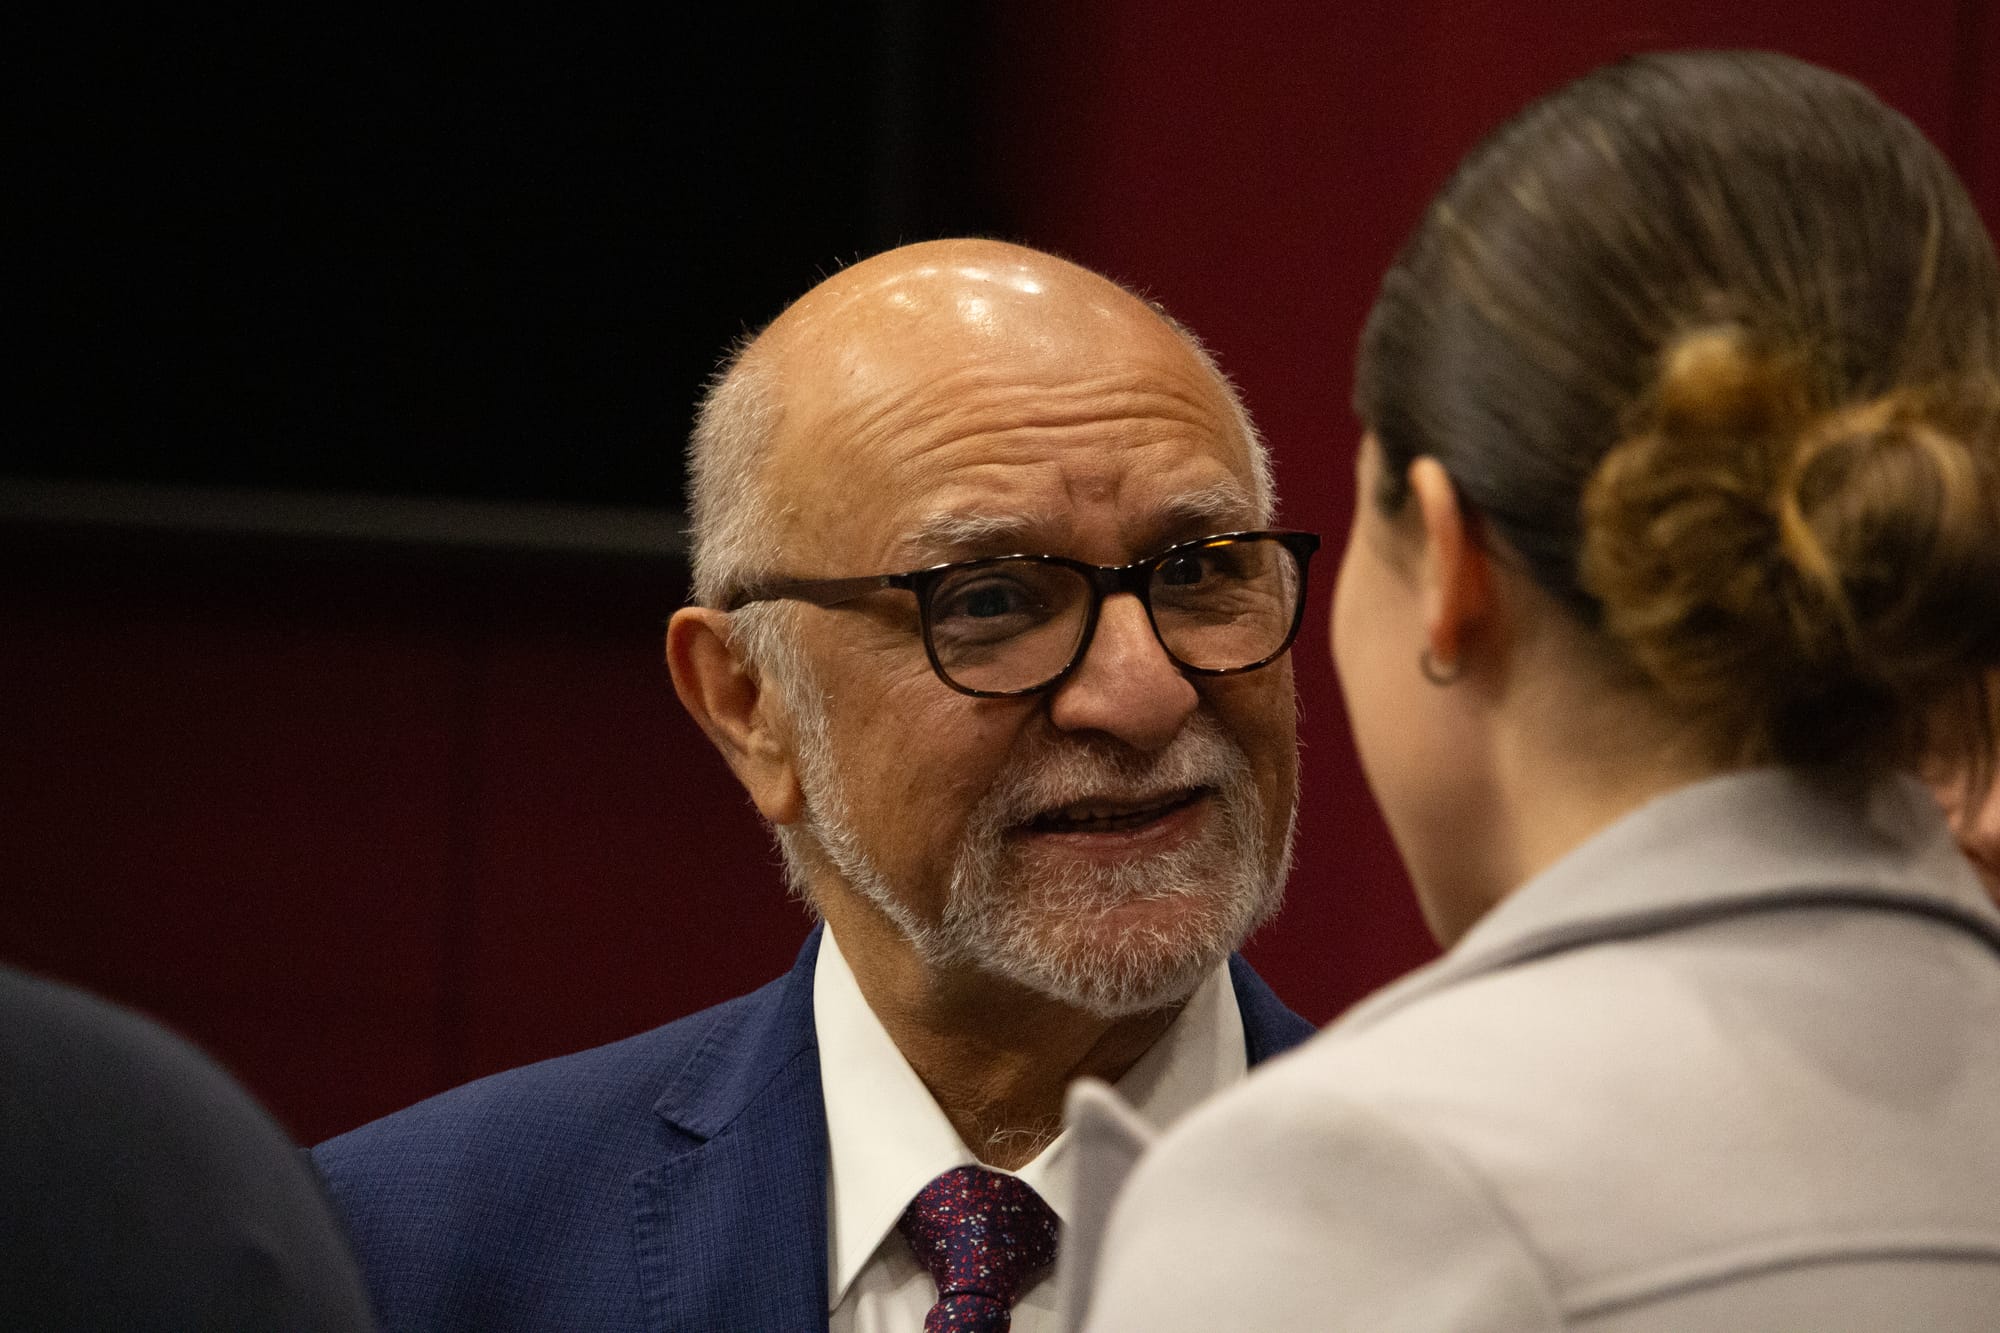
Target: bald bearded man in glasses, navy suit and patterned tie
{"points": [[991, 623]]}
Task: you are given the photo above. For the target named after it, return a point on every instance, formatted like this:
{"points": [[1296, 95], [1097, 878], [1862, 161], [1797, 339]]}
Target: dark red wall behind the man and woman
{"points": [[373, 822]]}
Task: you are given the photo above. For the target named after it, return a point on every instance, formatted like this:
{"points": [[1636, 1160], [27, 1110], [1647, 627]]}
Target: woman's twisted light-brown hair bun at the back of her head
{"points": [[1811, 583]]}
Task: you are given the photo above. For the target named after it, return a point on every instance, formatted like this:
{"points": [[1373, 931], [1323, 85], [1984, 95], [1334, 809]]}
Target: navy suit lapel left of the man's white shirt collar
{"points": [[731, 1232]]}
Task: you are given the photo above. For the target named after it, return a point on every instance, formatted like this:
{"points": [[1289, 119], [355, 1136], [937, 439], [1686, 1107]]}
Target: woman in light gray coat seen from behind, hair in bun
{"points": [[1677, 547]]}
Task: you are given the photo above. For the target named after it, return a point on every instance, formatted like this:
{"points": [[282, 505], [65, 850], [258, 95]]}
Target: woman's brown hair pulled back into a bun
{"points": [[1711, 343]]}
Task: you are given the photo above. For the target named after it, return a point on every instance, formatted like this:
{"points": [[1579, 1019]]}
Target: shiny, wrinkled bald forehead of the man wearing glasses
{"points": [[999, 389]]}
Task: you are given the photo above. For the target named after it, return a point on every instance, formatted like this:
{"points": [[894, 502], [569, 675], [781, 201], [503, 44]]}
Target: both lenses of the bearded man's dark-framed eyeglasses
{"points": [[1015, 625]]}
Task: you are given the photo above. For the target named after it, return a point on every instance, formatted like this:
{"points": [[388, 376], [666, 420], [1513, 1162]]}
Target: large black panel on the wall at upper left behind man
{"points": [[455, 255]]}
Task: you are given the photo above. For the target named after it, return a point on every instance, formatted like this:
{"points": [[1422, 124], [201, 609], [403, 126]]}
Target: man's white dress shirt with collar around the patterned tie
{"points": [[887, 1140]]}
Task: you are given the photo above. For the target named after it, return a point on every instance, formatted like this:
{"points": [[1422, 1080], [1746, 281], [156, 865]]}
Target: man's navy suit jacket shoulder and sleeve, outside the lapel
{"points": [[509, 1202]]}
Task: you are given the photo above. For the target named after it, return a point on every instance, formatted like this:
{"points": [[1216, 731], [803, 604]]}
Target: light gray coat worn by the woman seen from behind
{"points": [[1735, 1064]]}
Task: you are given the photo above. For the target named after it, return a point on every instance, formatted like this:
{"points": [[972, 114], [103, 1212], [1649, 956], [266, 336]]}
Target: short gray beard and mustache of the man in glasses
{"points": [[1041, 926]]}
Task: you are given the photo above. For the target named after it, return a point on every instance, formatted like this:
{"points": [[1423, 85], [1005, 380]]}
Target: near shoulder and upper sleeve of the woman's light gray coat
{"points": [[1279, 1208]]}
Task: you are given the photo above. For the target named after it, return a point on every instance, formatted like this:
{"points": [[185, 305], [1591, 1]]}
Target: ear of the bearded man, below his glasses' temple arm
{"points": [[731, 702]]}
